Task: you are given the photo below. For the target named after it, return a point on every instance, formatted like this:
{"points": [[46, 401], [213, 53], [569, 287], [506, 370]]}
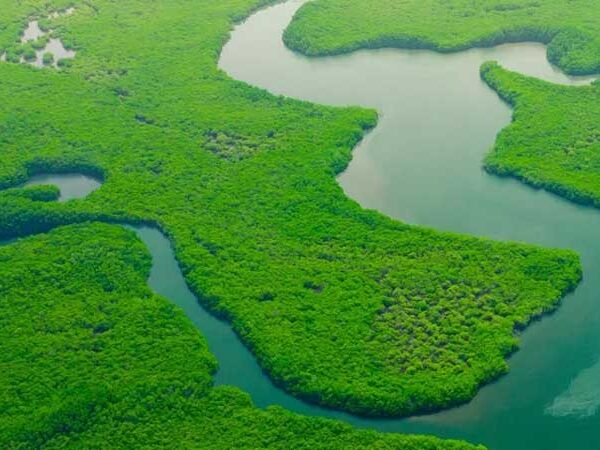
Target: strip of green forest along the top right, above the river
{"points": [[570, 28]]}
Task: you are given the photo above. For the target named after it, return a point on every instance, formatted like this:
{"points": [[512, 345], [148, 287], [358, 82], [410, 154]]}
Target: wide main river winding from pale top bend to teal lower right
{"points": [[422, 164]]}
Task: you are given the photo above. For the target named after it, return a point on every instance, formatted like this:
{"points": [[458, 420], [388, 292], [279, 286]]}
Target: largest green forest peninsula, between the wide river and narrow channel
{"points": [[341, 306]]}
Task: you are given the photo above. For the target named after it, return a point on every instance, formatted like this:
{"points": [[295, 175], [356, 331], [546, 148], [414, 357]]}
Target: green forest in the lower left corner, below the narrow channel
{"points": [[92, 359]]}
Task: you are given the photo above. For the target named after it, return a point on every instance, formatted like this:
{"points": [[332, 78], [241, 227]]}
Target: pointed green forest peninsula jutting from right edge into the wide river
{"points": [[553, 141]]}
